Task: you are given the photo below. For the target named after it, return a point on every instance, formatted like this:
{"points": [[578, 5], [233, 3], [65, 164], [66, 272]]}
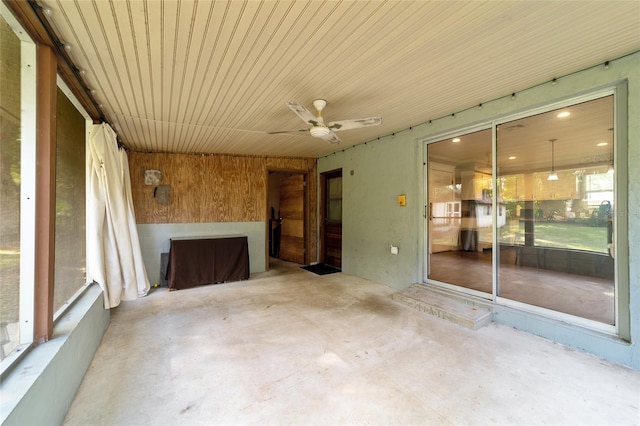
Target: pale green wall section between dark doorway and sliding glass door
{"points": [[373, 176]]}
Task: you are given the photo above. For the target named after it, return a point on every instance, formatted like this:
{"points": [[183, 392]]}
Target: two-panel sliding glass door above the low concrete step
{"points": [[537, 229]]}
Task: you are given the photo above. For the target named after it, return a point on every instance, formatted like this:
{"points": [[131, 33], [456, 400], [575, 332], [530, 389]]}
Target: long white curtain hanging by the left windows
{"points": [[114, 257]]}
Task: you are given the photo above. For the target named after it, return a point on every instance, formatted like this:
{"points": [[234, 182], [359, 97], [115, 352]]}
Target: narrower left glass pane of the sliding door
{"points": [[460, 211]]}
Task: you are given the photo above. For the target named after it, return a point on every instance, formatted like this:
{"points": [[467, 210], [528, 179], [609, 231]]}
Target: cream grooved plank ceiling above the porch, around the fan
{"points": [[214, 76]]}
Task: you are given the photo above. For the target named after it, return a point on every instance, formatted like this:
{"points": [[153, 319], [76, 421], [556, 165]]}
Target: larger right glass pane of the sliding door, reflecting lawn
{"points": [[555, 175]]}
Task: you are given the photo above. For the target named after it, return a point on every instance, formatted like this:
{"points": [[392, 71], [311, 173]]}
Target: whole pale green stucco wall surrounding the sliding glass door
{"points": [[393, 165]]}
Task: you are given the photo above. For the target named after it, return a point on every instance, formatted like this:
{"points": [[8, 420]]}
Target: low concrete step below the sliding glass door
{"points": [[453, 308]]}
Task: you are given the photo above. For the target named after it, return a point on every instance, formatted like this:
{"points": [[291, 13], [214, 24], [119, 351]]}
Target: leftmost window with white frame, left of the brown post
{"points": [[17, 186]]}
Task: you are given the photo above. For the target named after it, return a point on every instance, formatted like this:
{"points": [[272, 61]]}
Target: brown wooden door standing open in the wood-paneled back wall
{"points": [[292, 214]]}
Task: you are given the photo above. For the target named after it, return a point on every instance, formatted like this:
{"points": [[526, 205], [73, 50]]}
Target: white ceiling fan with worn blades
{"points": [[326, 131]]}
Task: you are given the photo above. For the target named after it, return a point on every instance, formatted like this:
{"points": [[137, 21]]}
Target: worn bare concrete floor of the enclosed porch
{"points": [[291, 347]]}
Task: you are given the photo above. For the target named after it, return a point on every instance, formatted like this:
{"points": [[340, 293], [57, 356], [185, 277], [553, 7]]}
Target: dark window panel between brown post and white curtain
{"points": [[70, 202]]}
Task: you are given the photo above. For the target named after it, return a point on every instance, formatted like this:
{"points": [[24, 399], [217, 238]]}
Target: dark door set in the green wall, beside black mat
{"points": [[331, 227]]}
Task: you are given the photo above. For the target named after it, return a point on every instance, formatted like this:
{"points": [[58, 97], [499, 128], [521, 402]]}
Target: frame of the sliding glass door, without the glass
{"points": [[621, 328]]}
